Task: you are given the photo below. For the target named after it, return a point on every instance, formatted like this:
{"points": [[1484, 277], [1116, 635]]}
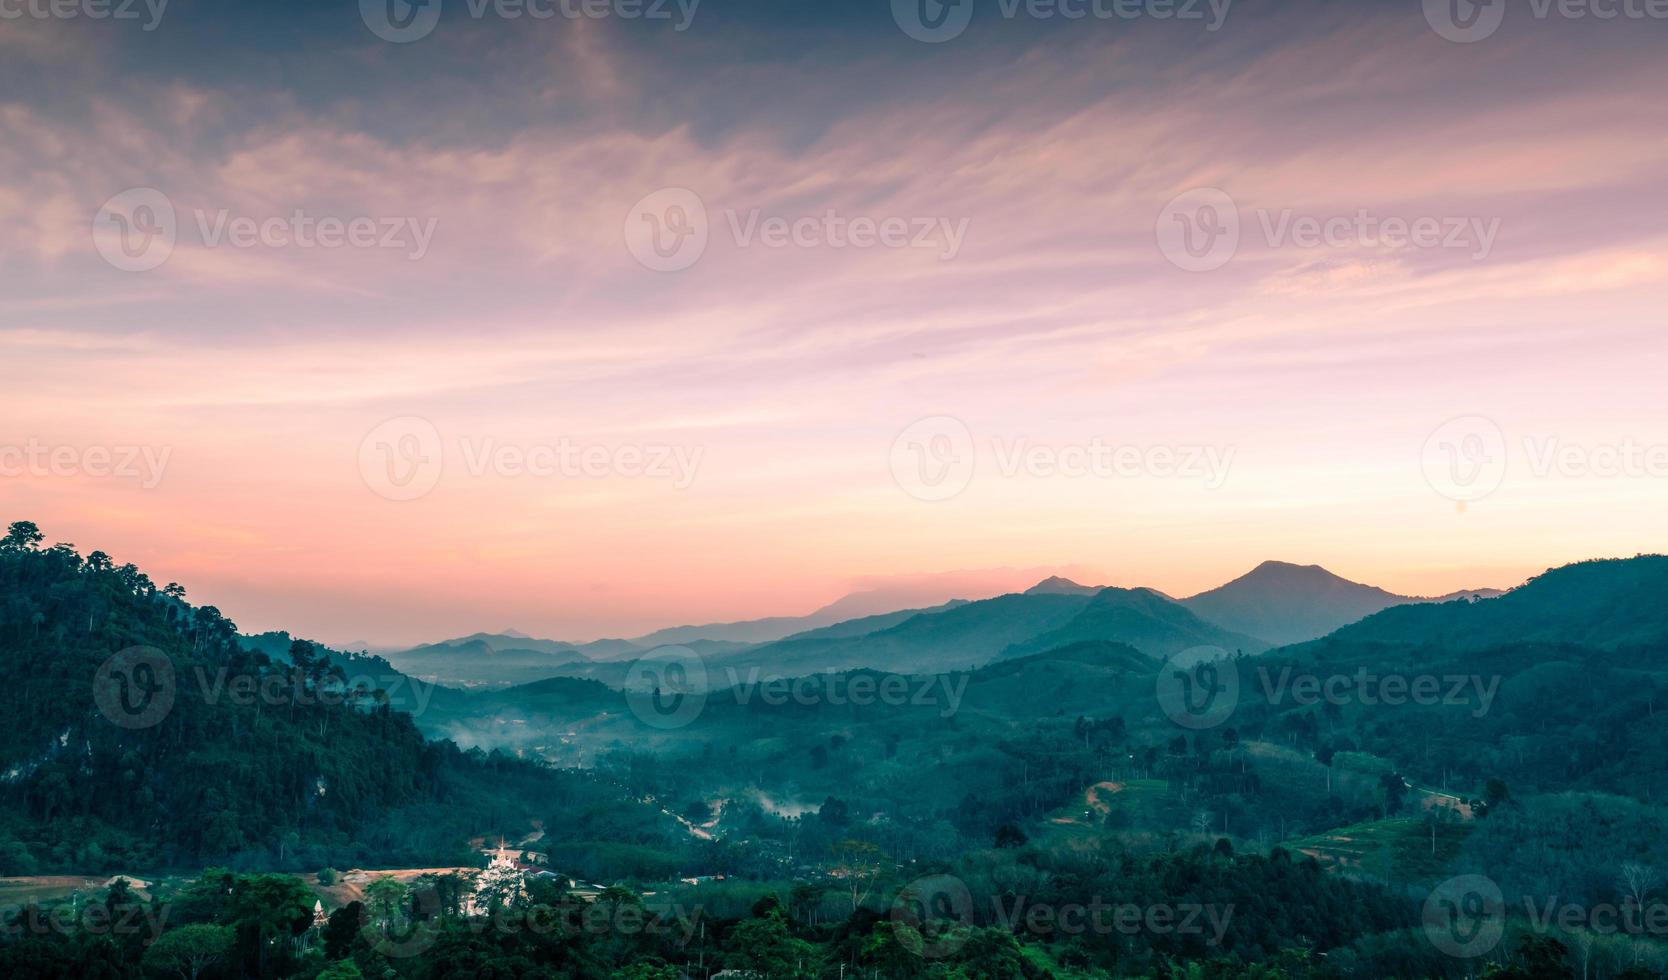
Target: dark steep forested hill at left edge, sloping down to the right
{"points": [[139, 734]]}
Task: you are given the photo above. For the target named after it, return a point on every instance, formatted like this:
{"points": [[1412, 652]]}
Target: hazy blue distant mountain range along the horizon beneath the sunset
{"points": [[1275, 604]]}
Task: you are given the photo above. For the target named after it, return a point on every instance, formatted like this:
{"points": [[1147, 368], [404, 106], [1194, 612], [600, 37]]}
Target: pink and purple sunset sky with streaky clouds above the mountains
{"points": [[595, 319]]}
